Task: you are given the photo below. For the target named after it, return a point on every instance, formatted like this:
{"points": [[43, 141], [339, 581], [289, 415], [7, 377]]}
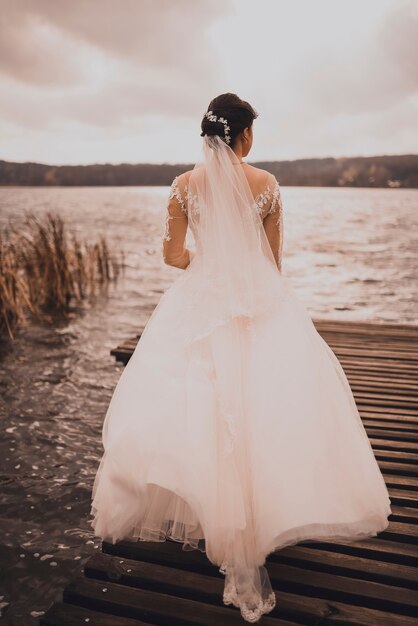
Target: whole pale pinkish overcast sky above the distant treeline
{"points": [[85, 81]]}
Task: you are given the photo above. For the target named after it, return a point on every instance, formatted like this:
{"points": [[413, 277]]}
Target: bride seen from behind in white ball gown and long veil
{"points": [[233, 428]]}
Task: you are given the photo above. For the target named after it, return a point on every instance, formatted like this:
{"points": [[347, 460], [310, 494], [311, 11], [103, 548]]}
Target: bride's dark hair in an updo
{"points": [[239, 114]]}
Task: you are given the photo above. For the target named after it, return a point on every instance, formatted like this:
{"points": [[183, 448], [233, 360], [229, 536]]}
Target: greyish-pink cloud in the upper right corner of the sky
{"points": [[370, 75]]}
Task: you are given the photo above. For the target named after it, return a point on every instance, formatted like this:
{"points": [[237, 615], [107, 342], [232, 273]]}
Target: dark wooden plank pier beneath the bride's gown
{"points": [[372, 582]]}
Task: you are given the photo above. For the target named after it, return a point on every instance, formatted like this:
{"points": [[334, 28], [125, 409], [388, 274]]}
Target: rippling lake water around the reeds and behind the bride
{"points": [[349, 254]]}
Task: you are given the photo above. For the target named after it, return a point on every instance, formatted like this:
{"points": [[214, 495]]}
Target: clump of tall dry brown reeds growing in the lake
{"points": [[45, 270]]}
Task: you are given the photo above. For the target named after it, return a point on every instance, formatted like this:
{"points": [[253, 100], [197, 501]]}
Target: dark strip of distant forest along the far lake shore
{"points": [[378, 171]]}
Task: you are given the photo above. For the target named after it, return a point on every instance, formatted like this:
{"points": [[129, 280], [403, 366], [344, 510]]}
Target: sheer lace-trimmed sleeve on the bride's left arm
{"points": [[174, 251]]}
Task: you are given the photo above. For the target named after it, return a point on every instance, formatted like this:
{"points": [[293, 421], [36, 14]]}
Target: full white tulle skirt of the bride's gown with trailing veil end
{"points": [[237, 441]]}
